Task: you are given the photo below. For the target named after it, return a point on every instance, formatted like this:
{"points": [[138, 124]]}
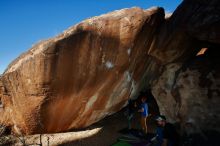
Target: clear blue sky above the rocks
{"points": [[26, 22]]}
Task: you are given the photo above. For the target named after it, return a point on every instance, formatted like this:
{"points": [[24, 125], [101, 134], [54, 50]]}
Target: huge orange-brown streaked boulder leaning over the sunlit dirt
{"points": [[81, 76]]}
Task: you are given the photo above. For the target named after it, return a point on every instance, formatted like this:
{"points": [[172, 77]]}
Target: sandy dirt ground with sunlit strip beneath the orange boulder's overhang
{"points": [[103, 133]]}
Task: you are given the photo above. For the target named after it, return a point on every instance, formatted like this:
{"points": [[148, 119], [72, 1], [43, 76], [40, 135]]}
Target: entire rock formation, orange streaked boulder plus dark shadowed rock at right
{"points": [[90, 71]]}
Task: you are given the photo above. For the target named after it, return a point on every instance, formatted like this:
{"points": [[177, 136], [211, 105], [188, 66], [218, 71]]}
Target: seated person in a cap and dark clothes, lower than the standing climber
{"points": [[166, 133]]}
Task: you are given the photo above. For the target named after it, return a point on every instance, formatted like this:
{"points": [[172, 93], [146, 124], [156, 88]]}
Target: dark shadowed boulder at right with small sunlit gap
{"points": [[188, 88]]}
